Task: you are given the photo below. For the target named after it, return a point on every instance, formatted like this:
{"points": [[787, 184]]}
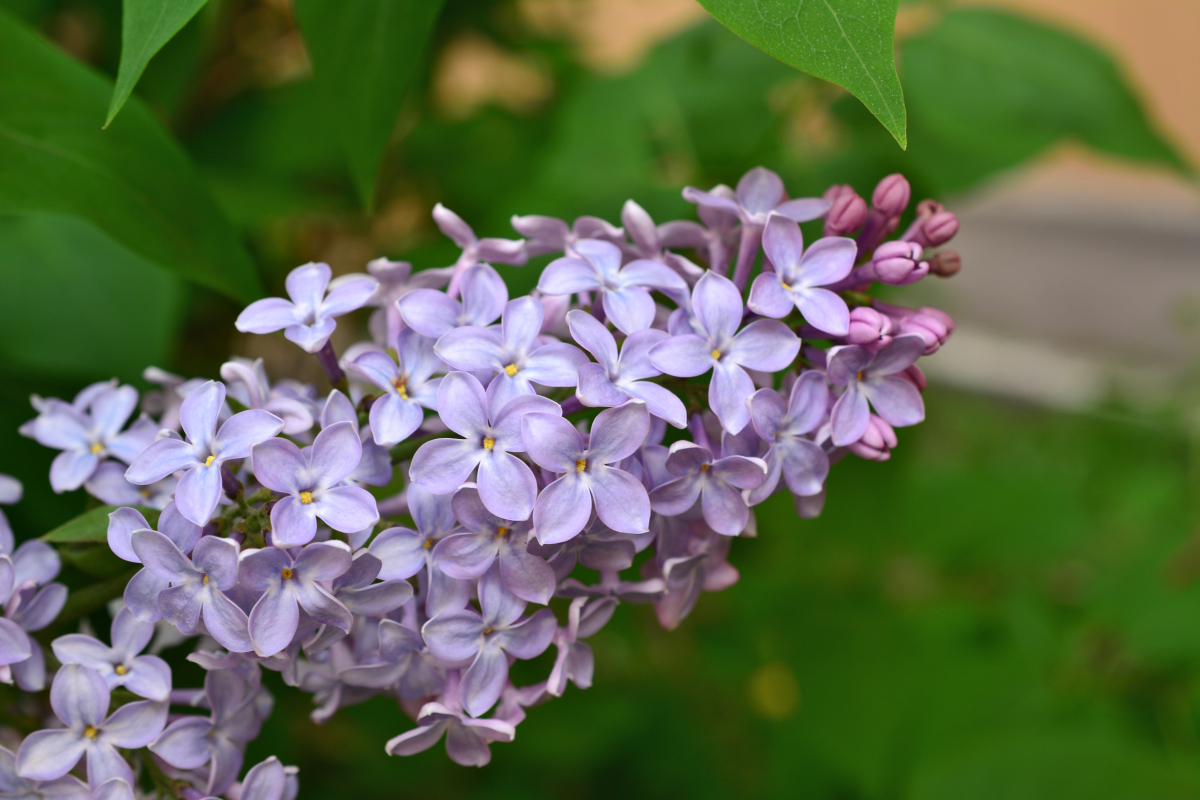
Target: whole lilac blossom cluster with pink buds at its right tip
{"points": [[518, 450]]}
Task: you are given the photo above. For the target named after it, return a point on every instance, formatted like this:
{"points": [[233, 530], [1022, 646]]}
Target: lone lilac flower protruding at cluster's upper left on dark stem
{"points": [[308, 318]]}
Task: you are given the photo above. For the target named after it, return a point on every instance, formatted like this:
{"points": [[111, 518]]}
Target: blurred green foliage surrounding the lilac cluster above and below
{"points": [[1007, 610]]}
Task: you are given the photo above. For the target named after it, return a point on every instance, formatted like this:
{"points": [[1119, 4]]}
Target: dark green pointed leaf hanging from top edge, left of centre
{"points": [[365, 55]]}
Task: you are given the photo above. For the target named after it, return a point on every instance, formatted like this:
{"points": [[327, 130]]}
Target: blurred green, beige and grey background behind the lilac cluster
{"points": [[1010, 609]]}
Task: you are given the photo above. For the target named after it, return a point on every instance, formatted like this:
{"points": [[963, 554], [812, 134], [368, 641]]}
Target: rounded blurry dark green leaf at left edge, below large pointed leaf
{"points": [[112, 318]]}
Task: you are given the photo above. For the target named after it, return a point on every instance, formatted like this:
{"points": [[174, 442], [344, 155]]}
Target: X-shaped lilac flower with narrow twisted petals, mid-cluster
{"points": [[616, 378]]}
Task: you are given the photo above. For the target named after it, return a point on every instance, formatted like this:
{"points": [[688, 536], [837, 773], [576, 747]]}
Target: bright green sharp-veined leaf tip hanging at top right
{"points": [[848, 43]]}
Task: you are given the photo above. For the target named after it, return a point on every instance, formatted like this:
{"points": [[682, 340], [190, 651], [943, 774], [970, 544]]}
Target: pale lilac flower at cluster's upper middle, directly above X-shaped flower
{"points": [[596, 267]]}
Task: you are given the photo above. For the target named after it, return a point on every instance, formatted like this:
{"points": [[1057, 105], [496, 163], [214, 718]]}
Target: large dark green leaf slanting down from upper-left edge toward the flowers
{"points": [[133, 182]]}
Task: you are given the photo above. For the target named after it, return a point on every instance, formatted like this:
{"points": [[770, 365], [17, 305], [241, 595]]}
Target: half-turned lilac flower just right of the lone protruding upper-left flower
{"points": [[435, 314]]}
